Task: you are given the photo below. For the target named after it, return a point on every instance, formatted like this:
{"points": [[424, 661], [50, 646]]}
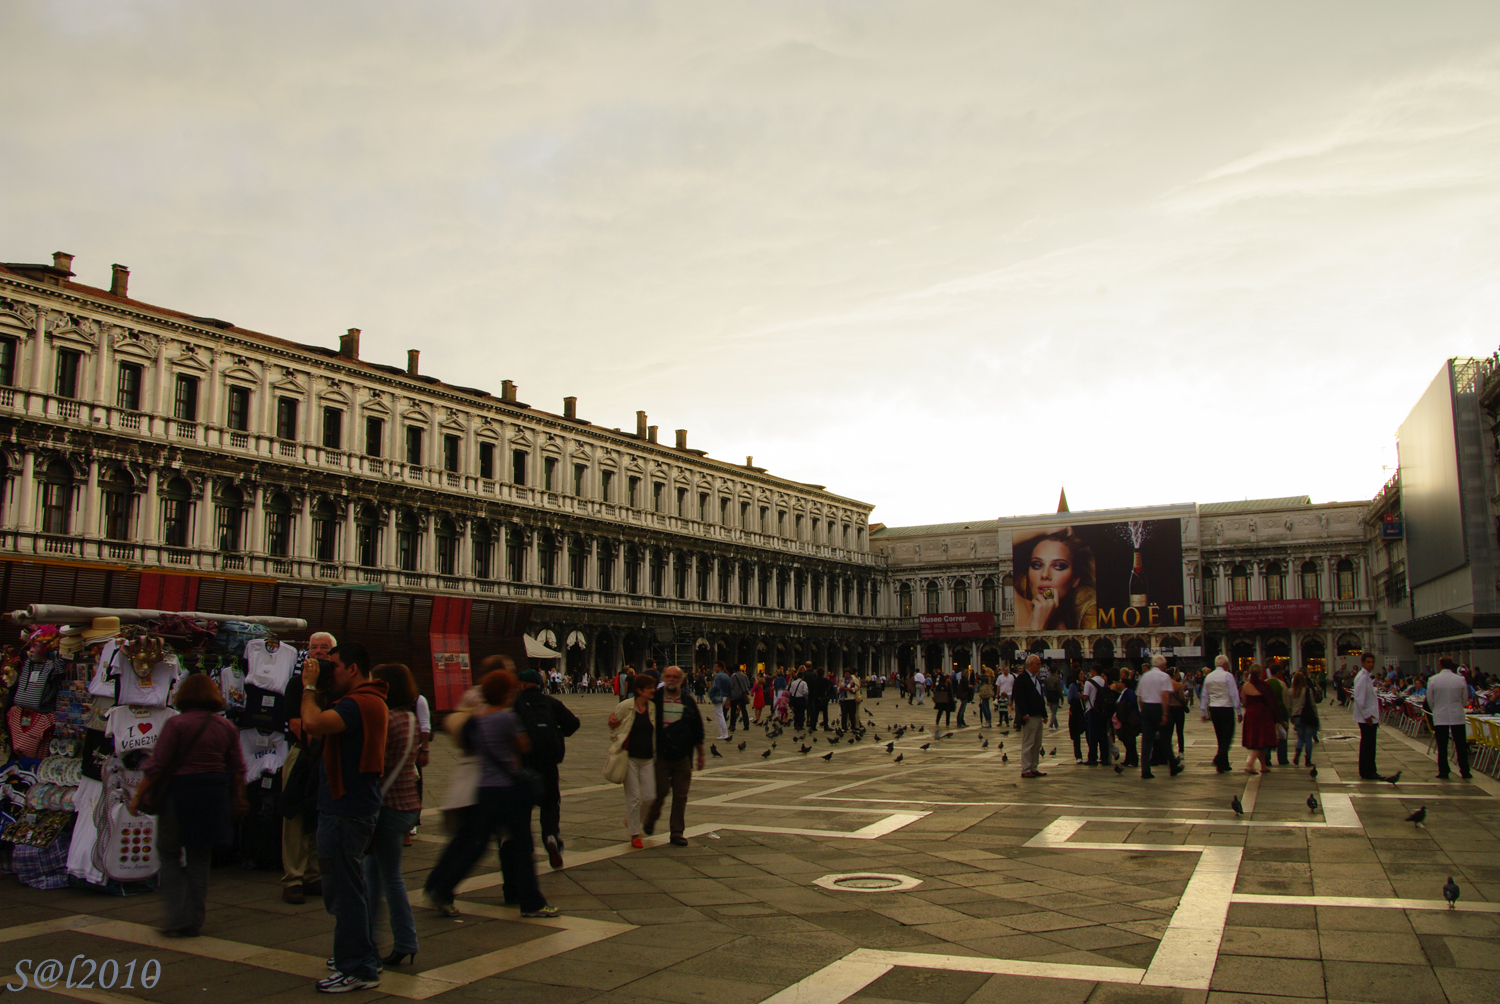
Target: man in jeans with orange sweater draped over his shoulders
{"points": [[349, 804]]}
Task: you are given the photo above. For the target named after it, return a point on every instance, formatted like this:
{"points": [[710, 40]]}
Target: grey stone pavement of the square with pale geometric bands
{"points": [[1082, 886]]}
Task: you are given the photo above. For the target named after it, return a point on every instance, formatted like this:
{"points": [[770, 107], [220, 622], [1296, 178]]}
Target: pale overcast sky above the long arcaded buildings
{"points": [[940, 257]]}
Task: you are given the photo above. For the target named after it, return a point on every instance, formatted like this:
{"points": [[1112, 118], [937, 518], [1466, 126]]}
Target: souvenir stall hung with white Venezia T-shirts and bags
{"points": [[86, 697]]}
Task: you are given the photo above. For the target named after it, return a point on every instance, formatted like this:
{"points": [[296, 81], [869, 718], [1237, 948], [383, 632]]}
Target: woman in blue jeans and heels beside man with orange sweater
{"points": [[401, 808]]}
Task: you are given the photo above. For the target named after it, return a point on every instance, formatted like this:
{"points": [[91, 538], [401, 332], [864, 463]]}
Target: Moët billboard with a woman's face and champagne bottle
{"points": [[1099, 577]]}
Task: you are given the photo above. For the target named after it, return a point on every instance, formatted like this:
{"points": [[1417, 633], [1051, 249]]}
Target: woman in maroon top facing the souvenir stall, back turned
{"points": [[194, 783]]}
